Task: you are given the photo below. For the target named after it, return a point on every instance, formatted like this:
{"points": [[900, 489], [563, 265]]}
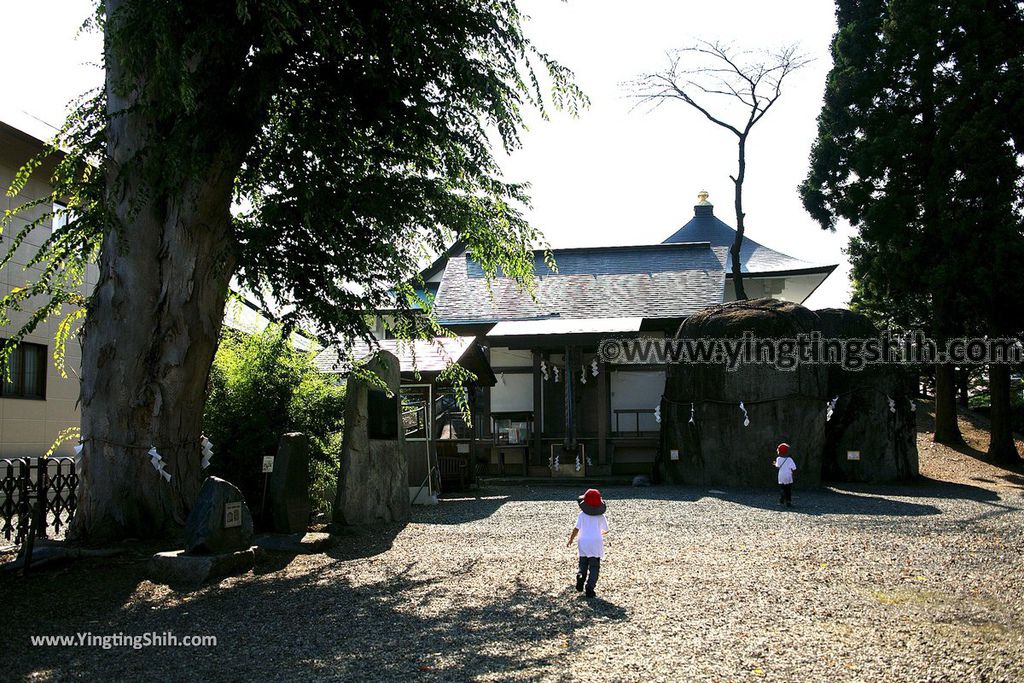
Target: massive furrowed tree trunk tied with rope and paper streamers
{"points": [[149, 340]]}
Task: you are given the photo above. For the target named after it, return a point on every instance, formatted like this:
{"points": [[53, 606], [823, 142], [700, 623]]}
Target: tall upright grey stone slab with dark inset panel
{"points": [[373, 480]]}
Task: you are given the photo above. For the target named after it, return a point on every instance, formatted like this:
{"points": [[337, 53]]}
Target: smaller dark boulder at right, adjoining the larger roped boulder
{"points": [[864, 422]]}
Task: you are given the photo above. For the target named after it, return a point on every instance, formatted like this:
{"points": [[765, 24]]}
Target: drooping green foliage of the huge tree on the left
{"points": [[358, 136]]}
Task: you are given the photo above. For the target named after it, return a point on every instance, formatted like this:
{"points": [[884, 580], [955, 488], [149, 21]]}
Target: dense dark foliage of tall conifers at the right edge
{"points": [[918, 147]]}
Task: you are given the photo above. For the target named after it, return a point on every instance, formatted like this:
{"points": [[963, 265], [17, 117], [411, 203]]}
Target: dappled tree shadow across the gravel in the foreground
{"points": [[321, 624]]}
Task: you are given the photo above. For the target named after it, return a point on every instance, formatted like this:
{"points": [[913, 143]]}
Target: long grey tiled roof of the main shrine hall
{"points": [[653, 281]]}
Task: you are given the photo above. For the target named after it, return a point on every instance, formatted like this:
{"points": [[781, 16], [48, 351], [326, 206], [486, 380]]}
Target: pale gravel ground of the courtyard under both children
{"points": [[919, 583]]}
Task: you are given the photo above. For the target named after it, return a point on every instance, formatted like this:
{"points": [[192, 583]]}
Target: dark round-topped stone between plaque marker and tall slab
{"points": [[290, 486]]}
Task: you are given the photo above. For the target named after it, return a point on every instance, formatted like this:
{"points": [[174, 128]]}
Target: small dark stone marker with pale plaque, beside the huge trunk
{"points": [[205, 531]]}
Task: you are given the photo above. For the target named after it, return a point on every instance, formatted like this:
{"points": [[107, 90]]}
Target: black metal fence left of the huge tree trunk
{"points": [[36, 493]]}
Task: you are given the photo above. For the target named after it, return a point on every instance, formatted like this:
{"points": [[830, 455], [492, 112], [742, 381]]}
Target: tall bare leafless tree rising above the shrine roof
{"points": [[752, 83]]}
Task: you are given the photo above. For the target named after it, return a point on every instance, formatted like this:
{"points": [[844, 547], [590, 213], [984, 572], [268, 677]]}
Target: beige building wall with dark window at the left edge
{"points": [[29, 428]]}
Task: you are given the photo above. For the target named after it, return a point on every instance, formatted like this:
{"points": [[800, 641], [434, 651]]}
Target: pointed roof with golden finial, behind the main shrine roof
{"points": [[754, 258]]}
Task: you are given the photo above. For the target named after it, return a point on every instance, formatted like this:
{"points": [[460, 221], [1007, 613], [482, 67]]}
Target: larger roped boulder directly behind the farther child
{"points": [[717, 449]]}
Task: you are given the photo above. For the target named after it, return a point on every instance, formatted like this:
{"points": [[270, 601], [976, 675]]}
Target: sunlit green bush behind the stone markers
{"points": [[262, 388]]}
